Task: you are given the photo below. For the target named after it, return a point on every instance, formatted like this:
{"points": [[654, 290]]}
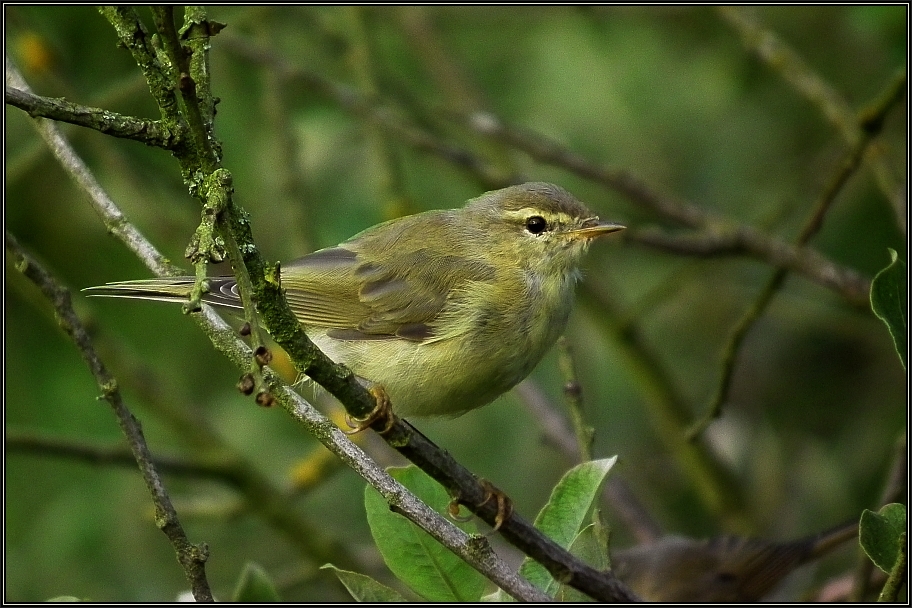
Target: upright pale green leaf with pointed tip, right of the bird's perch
{"points": [[565, 514]]}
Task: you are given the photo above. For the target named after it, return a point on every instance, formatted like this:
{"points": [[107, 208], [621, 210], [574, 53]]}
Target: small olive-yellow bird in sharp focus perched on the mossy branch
{"points": [[446, 309]]}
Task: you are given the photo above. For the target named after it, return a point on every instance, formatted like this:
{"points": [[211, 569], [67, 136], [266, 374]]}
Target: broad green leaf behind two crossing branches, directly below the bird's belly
{"points": [[427, 567]]}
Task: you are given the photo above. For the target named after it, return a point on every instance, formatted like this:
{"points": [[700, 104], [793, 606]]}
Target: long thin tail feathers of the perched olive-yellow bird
{"points": [[222, 290]]}
